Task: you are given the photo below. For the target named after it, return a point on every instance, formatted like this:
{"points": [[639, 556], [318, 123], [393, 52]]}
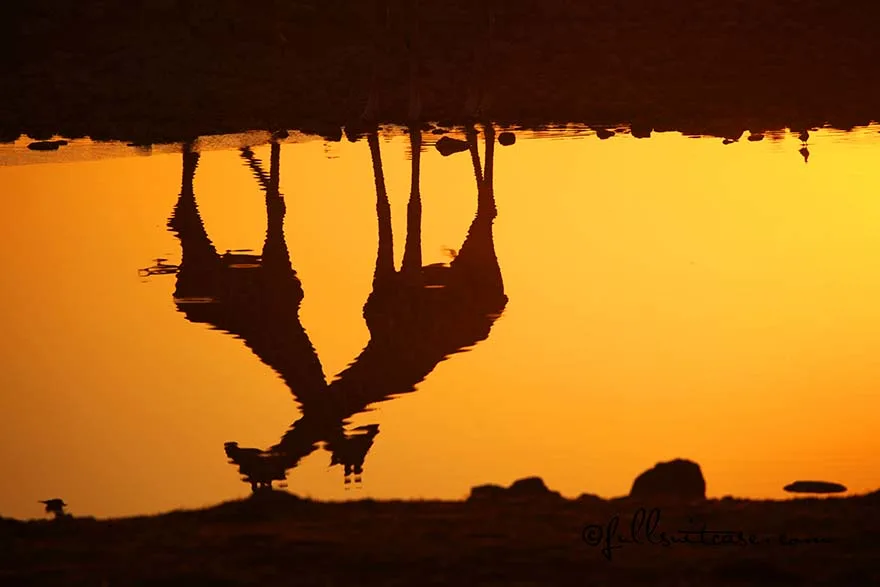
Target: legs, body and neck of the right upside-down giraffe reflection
{"points": [[417, 316]]}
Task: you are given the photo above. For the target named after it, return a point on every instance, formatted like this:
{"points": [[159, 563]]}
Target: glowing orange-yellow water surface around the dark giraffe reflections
{"points": [[670, 297]]}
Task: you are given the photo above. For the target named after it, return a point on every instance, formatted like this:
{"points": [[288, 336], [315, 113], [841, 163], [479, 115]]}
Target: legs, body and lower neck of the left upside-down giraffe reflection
{"points": [[255, 298]]}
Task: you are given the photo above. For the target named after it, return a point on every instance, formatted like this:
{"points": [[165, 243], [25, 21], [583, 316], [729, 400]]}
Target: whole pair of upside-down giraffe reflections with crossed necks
{"points": [[417, 316]]}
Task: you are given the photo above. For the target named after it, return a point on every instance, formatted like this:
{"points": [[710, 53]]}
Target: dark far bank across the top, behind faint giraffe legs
{"points": [[165, 70]]}
